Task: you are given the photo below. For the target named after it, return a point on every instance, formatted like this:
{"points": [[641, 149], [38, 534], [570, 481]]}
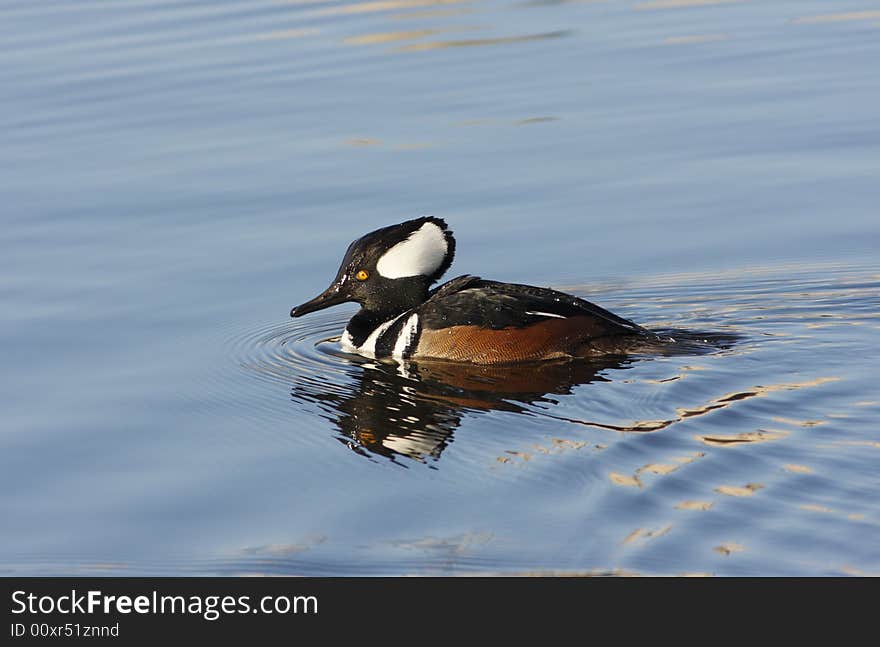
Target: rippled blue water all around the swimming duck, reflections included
{"points": [[177, 175]]}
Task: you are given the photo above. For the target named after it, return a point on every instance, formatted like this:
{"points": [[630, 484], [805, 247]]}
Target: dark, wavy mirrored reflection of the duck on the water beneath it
{"points": [[413, 409]]}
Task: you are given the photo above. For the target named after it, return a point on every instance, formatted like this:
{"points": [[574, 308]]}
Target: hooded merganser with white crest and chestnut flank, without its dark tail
{"points": [[389, 273]]}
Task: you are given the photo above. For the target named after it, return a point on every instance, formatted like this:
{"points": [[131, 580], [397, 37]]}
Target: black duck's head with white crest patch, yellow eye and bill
{"points": [[390, 269]]}
